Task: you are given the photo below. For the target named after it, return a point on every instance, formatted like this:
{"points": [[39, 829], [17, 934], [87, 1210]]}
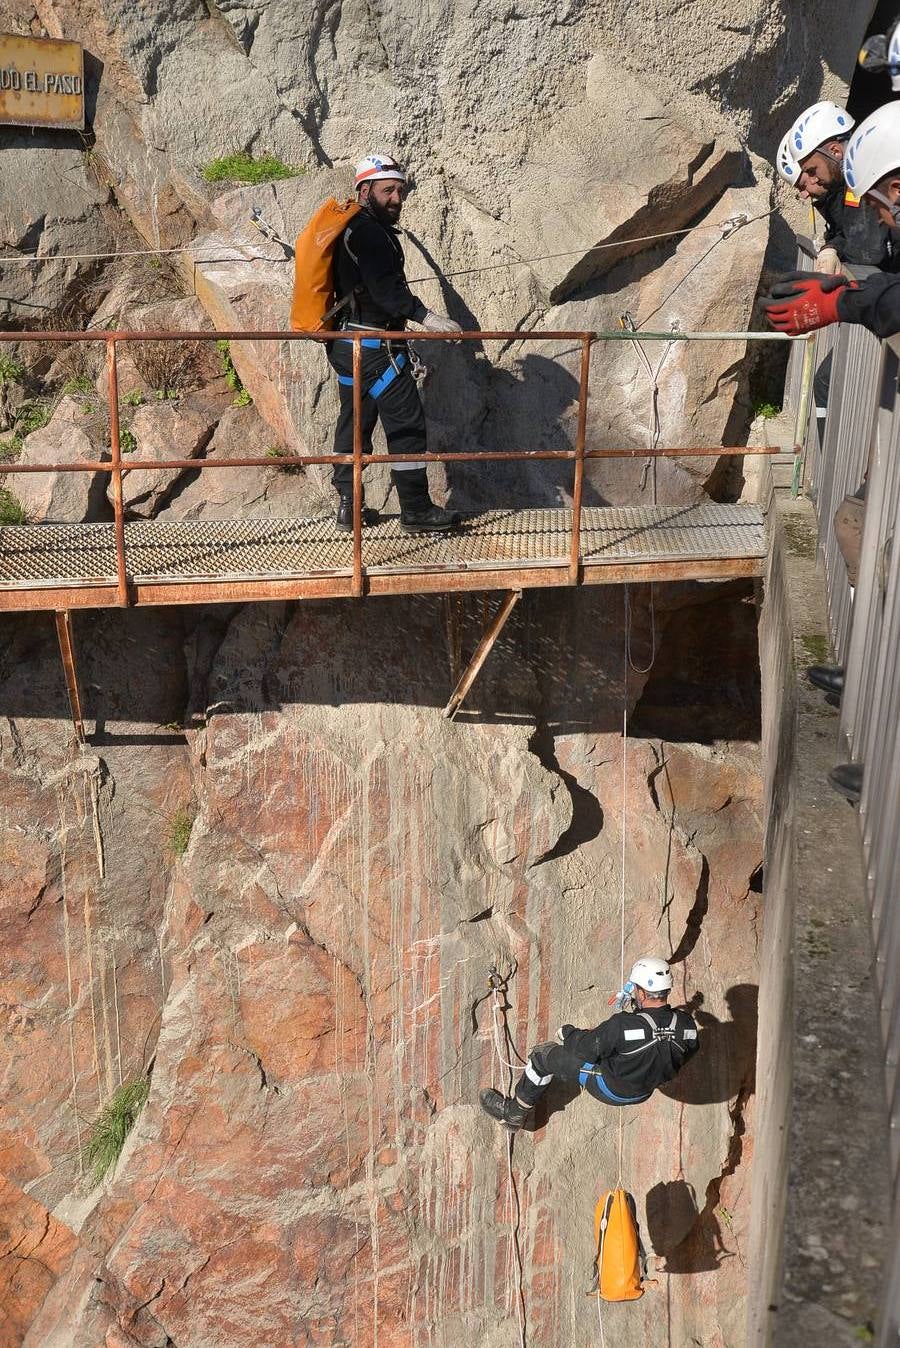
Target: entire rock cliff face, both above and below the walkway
{"points": [[307, 979]]}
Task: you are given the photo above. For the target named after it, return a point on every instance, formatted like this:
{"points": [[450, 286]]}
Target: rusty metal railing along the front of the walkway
{"points": [[585, 340]]}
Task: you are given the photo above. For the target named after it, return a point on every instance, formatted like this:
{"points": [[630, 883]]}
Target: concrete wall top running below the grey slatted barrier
{"points": [[821, 1176]]}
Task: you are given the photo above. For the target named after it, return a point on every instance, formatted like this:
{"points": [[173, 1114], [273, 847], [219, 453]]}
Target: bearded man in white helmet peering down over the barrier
{"points": [[810, 158]]}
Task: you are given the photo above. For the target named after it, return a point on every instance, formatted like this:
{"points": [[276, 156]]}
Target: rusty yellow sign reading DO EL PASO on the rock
{"points": [[42, 83]]}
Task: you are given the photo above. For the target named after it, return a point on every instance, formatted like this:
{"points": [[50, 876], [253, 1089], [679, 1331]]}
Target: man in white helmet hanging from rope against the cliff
{"points": [[622, 1062]]}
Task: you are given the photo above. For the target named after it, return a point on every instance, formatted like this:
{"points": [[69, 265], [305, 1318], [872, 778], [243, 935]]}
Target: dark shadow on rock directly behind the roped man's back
{"points": [[727, 1062]]}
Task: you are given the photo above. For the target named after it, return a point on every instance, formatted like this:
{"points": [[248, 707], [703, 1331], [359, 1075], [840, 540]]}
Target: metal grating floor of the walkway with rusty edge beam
{"points": [[192, 561]]}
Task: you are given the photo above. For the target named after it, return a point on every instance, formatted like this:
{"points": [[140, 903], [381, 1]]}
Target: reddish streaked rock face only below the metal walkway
{"points": [[308, 983]]}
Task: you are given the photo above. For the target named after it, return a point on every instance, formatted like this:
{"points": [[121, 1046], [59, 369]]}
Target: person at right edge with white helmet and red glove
{"points": [[805, 301]]}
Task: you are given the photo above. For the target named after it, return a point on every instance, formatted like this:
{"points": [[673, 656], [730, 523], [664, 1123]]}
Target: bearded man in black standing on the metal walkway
{"points": [[370, 274]]}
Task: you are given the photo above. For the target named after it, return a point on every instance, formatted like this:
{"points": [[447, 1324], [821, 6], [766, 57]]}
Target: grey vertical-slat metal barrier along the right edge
{"points": [[863, 439]]}
